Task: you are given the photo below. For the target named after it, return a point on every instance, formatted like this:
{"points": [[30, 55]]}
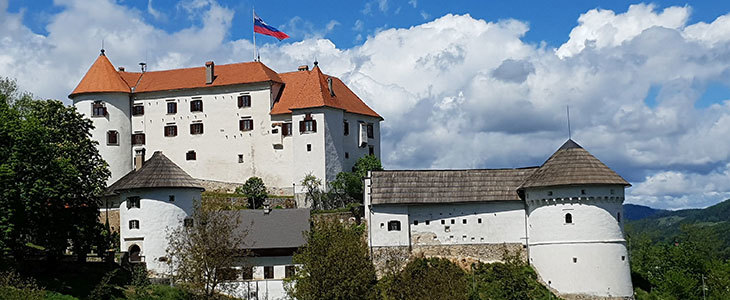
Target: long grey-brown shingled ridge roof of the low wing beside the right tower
{"points": [[446, 186]]}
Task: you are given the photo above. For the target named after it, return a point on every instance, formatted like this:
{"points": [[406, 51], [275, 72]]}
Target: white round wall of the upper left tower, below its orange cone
{"points": [[117, 118]]}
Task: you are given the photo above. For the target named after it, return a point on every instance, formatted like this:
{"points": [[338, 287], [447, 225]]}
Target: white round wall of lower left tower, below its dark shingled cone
{"points": [[156, 216]]}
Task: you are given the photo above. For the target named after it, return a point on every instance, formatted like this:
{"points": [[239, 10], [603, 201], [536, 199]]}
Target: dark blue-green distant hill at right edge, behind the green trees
{"points": [[665, 225]]}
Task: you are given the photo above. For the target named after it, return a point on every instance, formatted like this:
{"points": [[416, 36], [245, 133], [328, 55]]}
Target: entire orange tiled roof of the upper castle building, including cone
{"points": [[303, 89]]}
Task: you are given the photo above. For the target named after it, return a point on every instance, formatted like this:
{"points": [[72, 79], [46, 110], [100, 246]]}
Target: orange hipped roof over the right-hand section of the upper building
{"points": [[309, 89]]}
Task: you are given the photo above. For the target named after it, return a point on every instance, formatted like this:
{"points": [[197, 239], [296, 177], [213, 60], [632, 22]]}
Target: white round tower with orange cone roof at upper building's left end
{"points": [[104, 97]]}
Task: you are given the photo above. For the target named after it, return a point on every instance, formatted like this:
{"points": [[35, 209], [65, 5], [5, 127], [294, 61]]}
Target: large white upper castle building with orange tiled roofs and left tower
{"points": [[225, 123]]}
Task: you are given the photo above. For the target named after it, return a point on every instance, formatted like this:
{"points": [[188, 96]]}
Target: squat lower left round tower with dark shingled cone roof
{"points": [[156, 198]]}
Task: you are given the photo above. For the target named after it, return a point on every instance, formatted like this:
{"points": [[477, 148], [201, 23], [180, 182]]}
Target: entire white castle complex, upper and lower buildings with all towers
{"points": [[214, 126]]}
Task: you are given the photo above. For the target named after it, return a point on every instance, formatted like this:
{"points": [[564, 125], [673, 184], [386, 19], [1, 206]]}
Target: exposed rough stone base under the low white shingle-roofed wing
{"points": [[391, 259]]}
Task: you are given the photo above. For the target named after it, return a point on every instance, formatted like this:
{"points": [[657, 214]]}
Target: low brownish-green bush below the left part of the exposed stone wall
{"points": [[426, 278]]}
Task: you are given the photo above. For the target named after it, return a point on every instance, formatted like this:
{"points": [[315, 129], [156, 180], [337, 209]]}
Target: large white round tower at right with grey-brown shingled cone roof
{"points": [[575, 227]]}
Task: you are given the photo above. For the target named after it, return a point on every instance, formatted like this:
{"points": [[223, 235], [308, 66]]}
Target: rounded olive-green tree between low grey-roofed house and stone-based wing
{"points": [[334, 264]]}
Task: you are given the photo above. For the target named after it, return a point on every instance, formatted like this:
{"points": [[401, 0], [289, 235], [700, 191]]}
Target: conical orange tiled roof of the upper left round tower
{"points": [[101, 78]]}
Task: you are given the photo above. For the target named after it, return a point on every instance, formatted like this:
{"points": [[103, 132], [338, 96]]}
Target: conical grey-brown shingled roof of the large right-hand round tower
{"points": [[572, 165]]}
